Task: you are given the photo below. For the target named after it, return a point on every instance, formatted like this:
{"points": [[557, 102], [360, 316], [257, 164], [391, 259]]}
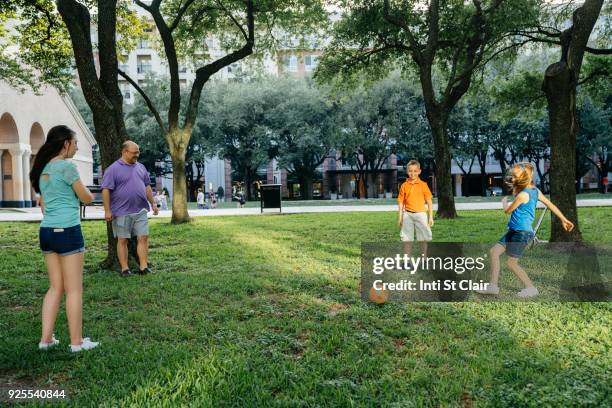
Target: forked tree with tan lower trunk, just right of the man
{"points": [[183, 27]]}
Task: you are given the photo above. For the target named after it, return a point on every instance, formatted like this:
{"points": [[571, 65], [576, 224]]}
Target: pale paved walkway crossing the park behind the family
{"points": [[96, 213]]}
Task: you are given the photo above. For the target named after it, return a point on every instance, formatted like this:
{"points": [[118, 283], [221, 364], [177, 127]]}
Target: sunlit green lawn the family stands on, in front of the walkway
{"points": [[266, 311]]}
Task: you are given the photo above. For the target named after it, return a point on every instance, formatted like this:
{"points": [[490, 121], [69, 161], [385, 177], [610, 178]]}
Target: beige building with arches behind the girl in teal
{"points": [[25, 119]]}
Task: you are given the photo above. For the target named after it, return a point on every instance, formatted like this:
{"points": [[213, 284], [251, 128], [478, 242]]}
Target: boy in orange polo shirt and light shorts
{"points": [[413, 196]]}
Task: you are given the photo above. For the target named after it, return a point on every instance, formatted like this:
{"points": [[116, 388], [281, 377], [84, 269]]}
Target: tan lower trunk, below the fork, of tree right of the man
{"points": [[178, 151]]}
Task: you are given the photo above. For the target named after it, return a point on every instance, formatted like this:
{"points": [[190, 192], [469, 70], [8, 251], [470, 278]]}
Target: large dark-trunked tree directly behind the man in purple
{"points": [[53, 37]]}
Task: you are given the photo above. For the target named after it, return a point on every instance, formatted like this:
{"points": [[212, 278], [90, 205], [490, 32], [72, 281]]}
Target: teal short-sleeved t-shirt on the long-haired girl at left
{"points": [[61, 204]]}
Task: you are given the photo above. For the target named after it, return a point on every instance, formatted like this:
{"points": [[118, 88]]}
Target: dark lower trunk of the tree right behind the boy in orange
{"points": [[444, 182]]}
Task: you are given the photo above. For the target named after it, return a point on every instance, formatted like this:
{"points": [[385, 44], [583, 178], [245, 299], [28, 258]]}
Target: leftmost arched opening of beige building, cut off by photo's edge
{"points": [[9, 137]]}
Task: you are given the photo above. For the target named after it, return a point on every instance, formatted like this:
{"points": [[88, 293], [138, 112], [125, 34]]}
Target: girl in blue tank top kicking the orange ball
{"points": [[520, 228]]}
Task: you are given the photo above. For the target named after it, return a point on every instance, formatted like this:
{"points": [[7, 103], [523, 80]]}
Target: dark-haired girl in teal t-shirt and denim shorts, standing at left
{"points": [[57, 181]]}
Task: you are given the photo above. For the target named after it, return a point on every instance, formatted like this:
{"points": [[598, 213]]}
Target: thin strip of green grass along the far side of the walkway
{"points": [[378, 201]]}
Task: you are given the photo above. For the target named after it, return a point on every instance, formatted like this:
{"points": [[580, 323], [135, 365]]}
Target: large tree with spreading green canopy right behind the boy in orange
{"points": [[445, 42]]}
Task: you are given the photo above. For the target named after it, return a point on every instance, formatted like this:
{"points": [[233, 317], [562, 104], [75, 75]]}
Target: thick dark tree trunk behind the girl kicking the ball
{"points": [[561, 96]]}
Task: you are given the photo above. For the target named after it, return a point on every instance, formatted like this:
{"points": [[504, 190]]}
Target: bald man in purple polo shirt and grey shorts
{"points": [[126, 193]]}
